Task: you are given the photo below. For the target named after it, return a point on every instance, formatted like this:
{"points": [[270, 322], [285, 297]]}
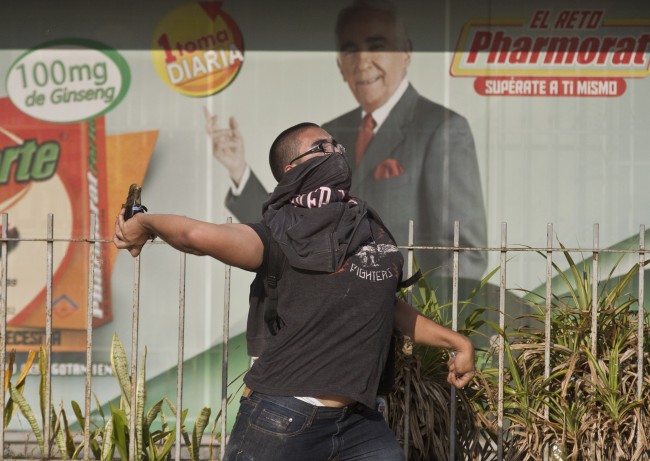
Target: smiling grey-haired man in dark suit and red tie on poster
{"points": [[411, 158]]}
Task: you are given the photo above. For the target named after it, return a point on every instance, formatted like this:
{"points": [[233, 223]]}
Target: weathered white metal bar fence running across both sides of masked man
{"points": [[93, 246]]}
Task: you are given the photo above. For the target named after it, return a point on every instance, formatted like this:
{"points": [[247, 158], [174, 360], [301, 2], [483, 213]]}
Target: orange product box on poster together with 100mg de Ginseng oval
{"points": [[58, 159]]}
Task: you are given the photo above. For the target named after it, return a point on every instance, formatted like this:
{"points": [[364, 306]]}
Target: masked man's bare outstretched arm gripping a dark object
{"points": [[234, 244]]}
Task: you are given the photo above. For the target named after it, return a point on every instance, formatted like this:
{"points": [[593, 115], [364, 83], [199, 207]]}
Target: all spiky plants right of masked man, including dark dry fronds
{"points": [[588, 408]]}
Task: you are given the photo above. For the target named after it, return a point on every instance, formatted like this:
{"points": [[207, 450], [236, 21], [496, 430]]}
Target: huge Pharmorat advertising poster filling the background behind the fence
{"points": [[525, 113]]}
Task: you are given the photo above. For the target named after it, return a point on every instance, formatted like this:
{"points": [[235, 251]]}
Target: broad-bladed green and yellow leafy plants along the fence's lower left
{"points": [[155, 435]]}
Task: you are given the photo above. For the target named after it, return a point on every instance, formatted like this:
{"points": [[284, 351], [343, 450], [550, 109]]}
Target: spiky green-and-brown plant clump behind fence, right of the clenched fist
{"points": [[587, 408]]}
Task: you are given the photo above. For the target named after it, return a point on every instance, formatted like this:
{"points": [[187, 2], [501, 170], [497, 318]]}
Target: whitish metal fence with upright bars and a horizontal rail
{"points": [[50, 422]]}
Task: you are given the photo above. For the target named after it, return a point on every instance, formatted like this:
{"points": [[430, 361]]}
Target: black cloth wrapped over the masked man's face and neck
{"points": [[312, 217]]}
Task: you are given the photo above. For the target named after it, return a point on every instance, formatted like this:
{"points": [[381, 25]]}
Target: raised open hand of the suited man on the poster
{"points": [[227, 145]]}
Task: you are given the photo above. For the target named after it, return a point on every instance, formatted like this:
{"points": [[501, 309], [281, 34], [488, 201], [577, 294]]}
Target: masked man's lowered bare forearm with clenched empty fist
{"points": [[428, 333]]}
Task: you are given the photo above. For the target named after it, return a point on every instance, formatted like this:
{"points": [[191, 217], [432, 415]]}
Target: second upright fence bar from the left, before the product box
{"points": [[48, 334]]}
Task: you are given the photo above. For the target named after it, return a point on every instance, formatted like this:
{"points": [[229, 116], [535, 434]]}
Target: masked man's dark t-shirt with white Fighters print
{"points": [[336, 327]]}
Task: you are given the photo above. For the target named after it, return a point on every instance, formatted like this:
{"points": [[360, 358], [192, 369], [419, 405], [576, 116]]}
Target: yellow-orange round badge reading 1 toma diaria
{"points": [[197, 49]]}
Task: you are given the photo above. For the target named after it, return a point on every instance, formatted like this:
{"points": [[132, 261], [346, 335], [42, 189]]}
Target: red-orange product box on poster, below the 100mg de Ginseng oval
{"points": [[63, 169]]}
